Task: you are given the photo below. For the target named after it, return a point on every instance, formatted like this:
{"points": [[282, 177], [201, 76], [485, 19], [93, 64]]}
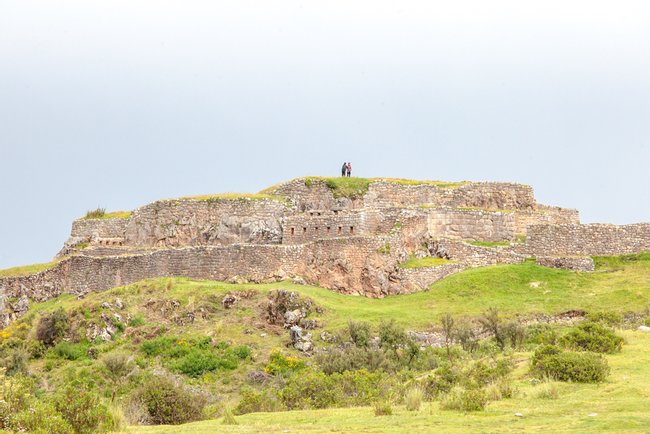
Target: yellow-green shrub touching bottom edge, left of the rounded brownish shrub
{"points": [[81, 408]]}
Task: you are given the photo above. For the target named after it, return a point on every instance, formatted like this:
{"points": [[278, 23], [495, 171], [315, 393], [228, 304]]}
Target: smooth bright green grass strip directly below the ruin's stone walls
{"points": [[619, 286]]}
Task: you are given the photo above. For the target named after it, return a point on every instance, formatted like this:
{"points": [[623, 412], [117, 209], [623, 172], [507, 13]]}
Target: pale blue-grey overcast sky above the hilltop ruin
{"points": [[116, 103]]}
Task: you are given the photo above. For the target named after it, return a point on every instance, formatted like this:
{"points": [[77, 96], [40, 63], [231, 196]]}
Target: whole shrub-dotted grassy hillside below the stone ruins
{"points": [[235, 365]]}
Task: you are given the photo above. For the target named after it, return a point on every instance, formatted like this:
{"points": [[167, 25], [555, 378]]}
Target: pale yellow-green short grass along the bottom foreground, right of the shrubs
{"points": [[620, 404]]}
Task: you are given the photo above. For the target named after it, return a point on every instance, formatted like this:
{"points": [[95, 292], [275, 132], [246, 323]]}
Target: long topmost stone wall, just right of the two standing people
{"points": [[488, 195]]}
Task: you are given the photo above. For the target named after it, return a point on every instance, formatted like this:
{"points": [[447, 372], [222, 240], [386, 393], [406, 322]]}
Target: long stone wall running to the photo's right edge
{"points": [[587, 240]]}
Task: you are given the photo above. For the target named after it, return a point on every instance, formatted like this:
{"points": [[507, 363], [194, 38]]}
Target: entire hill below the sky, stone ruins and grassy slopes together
{"points": [[329, 303]]}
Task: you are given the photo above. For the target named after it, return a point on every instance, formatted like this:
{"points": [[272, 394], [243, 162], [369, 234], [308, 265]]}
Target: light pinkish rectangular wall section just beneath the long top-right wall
{"points": [[471, 225]]}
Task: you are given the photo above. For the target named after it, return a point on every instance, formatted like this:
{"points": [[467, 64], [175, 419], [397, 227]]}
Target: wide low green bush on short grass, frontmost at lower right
{"points": [[583, 367]]}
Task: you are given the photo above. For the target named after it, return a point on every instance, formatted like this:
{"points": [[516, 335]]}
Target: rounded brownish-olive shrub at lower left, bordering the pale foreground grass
{"points": [[166, 403]]}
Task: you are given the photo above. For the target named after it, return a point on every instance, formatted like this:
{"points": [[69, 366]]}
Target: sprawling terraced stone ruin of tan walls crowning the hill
{"points": [[302, 230]]}
